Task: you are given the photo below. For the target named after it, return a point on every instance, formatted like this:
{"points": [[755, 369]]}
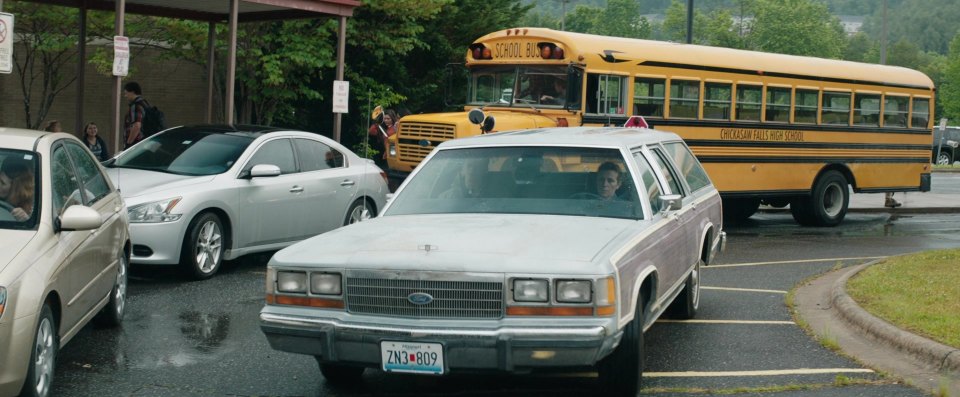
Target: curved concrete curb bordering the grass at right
{"points": [[934, 354]]}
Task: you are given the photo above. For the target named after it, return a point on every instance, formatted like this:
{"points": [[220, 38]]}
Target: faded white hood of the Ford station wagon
{"points": [[465, 241]]}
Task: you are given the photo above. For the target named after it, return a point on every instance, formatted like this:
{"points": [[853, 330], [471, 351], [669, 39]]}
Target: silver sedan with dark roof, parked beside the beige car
{"points": [[198, 195]]}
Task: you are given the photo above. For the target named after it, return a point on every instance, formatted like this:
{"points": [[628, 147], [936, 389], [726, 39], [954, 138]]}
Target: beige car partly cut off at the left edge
{"points": [[64, 249]]}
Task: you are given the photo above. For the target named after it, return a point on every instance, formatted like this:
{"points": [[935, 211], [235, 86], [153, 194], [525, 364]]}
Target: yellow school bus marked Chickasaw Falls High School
{"points": [[769, 128]]}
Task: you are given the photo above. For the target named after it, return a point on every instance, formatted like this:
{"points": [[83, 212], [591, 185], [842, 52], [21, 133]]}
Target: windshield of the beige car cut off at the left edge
{"points": [[19, 194]]}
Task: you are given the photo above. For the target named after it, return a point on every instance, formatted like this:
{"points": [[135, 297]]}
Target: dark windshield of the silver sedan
{"points": [[186, 151]]}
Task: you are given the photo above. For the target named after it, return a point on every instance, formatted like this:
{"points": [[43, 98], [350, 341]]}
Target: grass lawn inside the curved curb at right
{"points": [[918, 292]]}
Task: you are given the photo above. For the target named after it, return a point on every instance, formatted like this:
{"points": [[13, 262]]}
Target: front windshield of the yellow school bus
{"points": [[533, 85]]}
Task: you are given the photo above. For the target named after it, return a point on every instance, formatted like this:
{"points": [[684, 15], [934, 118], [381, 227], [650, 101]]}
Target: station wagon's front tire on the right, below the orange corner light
{"points": [[620, 372]]}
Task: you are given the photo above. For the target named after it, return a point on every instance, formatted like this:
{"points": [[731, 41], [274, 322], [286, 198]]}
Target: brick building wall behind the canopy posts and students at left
{"points": [[179, 88]]}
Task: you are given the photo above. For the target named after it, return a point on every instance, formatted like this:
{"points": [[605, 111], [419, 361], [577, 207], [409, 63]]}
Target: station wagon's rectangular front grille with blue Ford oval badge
{"points": [[451, 299]]}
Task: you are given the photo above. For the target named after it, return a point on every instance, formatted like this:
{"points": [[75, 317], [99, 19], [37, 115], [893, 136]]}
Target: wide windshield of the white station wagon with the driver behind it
{"points": [[522, 180]]}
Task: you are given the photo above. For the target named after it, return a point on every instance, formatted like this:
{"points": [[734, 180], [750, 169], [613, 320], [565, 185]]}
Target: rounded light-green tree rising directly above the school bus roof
{"points": [[797, 27]]}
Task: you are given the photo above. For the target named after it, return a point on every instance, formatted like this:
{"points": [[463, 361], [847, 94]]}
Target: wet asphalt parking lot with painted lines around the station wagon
{"points": [[202, 338]]}
